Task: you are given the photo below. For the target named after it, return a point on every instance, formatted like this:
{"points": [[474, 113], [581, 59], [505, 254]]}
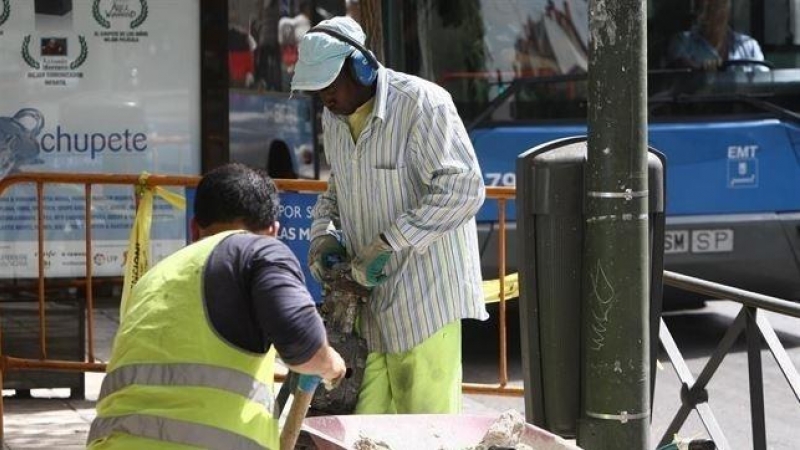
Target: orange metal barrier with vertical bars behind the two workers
{"points": [[89, 184]]}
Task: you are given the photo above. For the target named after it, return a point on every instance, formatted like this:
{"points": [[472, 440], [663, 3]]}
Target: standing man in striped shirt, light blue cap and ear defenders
{"points": [[404, 190]]}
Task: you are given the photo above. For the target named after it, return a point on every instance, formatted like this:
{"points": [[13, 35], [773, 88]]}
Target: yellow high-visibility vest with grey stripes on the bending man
{"points": [[172, 382]]}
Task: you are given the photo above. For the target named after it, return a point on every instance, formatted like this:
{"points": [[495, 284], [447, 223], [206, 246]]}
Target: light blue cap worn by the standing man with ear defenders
{"points": [[320, 56]]}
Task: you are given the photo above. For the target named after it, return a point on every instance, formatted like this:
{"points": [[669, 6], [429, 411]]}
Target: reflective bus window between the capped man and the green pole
{"points": [[491, 43]]}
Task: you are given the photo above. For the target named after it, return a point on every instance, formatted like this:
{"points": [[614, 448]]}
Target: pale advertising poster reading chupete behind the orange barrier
{"points": [[94, 86]]}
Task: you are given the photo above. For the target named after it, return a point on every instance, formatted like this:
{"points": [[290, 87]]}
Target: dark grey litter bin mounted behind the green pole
{"points": [[550, 220]]}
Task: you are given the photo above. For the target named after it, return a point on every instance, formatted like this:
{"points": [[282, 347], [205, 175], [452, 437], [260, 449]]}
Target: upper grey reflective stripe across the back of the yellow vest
{"points": [[187, 374]]}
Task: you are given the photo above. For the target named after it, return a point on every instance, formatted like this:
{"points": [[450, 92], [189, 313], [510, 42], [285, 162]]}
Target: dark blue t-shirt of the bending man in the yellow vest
{"points": [[255, 297]]}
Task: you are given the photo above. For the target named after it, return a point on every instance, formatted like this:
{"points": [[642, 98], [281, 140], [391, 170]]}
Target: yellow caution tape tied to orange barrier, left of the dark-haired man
{"points": [[137, 257]]}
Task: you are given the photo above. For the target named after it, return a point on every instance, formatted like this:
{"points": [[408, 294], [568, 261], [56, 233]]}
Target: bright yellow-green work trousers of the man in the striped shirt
{"points": [[423, 380]]}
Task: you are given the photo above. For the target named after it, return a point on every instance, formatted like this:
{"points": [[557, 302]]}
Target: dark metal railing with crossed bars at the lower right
{"points": [[752, 322]]}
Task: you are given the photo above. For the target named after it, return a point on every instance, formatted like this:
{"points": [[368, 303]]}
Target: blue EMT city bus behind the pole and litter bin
{"points": [[729, 127]]}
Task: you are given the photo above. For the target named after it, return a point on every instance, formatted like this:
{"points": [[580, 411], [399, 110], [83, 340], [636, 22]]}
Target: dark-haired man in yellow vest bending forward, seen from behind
{"points": [[192, 362]]}
